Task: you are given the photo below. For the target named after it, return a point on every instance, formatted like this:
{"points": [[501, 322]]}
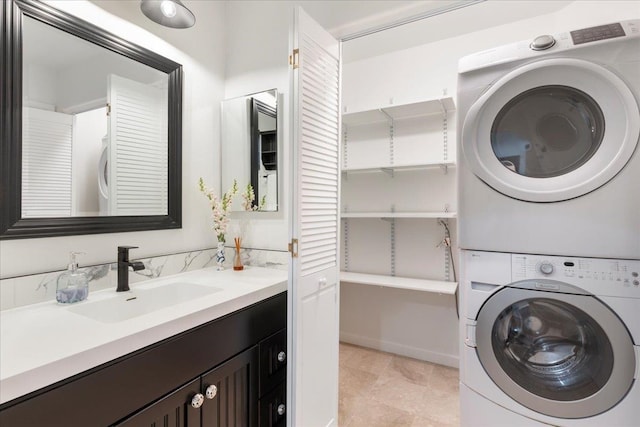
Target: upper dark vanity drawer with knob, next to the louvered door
{"points": [[273, 361]]}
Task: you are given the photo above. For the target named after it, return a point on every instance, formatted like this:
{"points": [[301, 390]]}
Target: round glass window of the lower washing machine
{"points": [[552, 349]]}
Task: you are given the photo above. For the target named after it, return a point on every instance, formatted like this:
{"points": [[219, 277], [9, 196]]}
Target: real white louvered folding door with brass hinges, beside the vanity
{"points": [[315, 284]]}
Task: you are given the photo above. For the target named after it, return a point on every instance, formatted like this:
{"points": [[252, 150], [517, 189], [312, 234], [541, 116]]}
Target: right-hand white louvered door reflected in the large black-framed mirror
{"points": [[138, 148]]}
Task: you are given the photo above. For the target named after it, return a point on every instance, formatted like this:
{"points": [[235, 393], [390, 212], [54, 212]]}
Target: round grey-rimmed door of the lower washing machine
{"points": [[559, 354]]}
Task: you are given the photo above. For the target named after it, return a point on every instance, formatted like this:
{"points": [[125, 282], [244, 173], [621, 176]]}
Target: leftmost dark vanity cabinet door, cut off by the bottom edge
{"points": [[174, 410]]}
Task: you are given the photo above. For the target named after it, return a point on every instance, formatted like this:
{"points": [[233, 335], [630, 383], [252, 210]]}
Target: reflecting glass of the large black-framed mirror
{"points": [[95, 132]]}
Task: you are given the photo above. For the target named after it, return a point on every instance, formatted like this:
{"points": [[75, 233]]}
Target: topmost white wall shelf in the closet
{"points": [[401, 111]]}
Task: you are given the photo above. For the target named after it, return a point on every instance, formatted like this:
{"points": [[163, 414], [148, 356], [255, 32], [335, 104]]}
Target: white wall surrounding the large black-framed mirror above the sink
{"points": [[201, 52]]}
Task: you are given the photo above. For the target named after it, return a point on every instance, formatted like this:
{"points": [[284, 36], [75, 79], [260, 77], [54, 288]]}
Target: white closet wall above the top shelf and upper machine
{"points": [[427, 70]]}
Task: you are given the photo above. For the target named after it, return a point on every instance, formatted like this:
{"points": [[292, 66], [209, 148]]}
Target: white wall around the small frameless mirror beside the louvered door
{"points": [[257, 60]]}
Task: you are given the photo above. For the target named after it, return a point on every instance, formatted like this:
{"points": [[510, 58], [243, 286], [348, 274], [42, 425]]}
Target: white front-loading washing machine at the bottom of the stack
{"points": [[549, 340]]}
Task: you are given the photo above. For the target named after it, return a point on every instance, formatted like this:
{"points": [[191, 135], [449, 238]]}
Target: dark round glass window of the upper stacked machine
{"points": [[547, 131]]}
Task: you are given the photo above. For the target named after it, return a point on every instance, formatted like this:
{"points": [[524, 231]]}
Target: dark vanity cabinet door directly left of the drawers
{"points": [[231, 392]]}
